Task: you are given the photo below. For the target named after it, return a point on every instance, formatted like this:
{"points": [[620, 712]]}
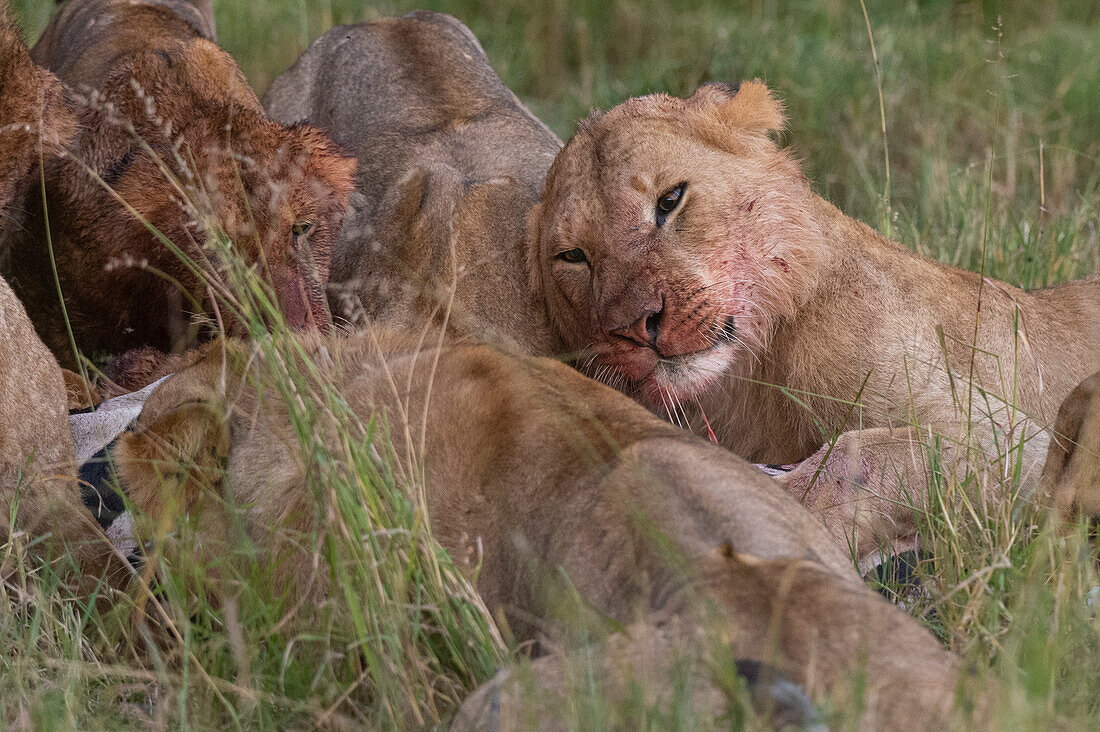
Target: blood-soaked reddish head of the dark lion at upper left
{"points": [[277, 195]]}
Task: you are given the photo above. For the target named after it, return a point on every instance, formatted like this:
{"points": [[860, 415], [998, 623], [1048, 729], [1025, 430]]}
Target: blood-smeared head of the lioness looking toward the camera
{"points": [[669, 243]]}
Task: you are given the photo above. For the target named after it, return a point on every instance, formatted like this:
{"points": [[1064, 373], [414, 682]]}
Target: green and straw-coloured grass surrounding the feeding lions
{"points": [[992, 116]]}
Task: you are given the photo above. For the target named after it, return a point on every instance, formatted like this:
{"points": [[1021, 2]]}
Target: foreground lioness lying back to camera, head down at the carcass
{"points": [[529, 471]]}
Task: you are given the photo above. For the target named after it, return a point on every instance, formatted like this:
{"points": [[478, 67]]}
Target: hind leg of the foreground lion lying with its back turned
{"points": [[831, 638]]}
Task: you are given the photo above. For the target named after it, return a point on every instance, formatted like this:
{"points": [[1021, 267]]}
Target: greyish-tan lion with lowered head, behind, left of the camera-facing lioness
{"points": [[450, 165]]}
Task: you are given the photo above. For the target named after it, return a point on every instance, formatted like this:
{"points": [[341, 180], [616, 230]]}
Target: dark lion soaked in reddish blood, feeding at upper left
{"points": [[174, 158]]}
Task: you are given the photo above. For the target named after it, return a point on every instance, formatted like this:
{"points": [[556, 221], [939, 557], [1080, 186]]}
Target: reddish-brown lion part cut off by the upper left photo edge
{"points": [[37, 116]]}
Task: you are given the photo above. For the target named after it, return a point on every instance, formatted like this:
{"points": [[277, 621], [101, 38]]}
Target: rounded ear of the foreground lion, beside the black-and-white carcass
{"points": [[169, 465]]}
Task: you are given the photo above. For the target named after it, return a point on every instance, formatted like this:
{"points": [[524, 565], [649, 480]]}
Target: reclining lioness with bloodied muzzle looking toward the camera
{"points": [[688, 257]]}
